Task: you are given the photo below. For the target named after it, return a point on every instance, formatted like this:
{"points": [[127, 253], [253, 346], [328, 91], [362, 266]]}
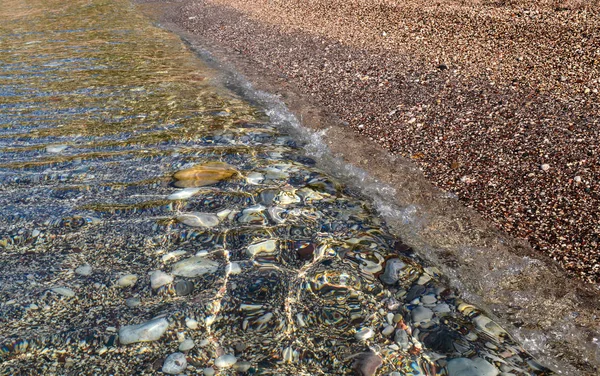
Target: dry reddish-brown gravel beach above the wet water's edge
{"points": [[496, 101]]}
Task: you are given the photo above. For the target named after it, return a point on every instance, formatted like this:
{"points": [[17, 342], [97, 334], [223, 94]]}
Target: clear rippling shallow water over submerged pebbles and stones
{"points": [[264, 257]]}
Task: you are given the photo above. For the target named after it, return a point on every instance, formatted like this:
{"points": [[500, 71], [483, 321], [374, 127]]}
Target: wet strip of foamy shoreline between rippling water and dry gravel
{"points": [[551, 305]]}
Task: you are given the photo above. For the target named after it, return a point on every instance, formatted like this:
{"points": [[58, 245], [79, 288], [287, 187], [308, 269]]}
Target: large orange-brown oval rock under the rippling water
{"points": [[204, 174]]}
